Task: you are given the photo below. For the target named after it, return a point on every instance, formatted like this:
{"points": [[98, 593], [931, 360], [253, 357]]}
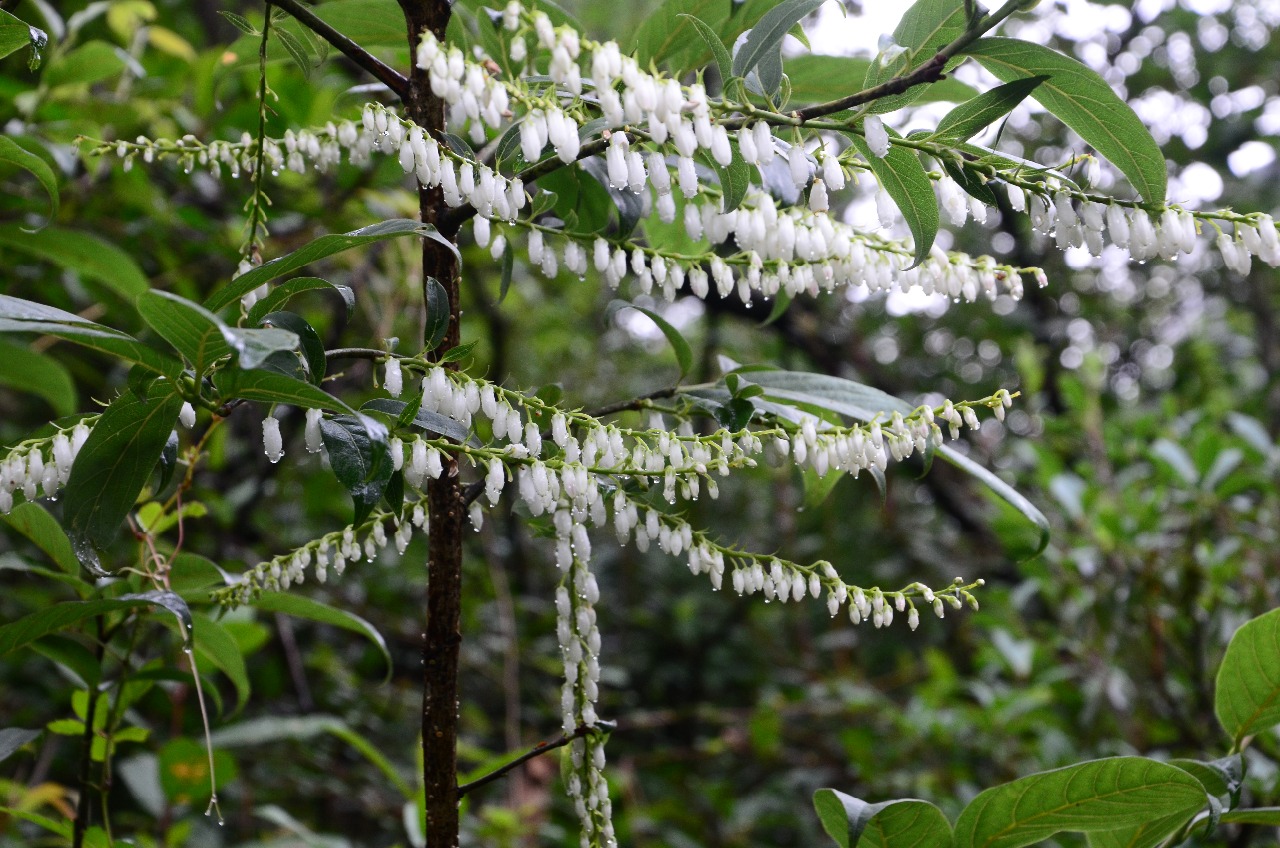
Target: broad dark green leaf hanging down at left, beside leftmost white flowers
{"points": [[115, 466]]}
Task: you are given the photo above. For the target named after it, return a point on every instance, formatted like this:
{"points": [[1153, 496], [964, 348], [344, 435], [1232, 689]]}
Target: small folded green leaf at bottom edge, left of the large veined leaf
{"points": [[890, 824]]}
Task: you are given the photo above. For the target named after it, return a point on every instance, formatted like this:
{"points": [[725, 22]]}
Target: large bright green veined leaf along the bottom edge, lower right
{"points": [[1091, 797]]}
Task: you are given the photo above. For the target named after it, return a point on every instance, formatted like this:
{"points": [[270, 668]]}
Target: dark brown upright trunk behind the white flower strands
{"points": [[445, 496]]}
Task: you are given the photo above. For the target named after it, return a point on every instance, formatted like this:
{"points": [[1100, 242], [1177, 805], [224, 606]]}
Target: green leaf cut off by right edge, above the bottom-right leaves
{"points": [[1247, 699]]}
